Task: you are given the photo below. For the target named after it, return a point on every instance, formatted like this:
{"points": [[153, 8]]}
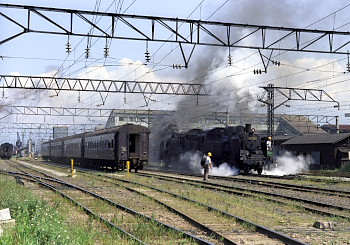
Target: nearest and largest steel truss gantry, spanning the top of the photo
{"points": [[183, 31]]}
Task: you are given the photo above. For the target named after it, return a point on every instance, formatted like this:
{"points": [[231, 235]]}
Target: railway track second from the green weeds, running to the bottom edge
{"points": [[223, 228]]}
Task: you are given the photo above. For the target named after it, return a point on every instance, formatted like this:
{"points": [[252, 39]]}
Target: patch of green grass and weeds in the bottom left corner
{"points": [[39, 223]]}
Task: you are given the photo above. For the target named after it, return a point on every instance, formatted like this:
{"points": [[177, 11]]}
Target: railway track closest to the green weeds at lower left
{"points": [[82, 198]]}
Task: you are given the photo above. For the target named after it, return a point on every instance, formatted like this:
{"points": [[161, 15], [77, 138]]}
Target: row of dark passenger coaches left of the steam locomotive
{"points": [[108, 148]]}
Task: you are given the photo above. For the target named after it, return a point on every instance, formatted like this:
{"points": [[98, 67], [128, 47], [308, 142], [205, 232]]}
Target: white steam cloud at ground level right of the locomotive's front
{"points": [[290, 164]]}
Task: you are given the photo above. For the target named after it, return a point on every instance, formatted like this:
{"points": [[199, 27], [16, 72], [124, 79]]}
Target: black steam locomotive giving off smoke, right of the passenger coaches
{"points": [[238, 146]]}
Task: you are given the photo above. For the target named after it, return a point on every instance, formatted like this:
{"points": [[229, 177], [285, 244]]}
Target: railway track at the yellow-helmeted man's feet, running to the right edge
{"points": [[282, 193]]}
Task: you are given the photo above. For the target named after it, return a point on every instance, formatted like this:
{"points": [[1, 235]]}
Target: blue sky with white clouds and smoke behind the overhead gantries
{"points": [[42, 54]]}
